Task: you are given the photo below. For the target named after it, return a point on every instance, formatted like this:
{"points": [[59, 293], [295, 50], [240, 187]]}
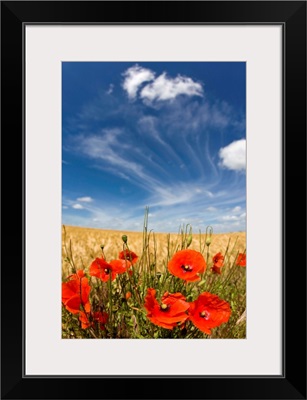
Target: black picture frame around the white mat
{"points": [[292, 16]]}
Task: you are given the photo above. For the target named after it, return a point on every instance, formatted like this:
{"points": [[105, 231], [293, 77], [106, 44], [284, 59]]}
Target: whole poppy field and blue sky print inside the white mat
{"points": [[153, 200]]}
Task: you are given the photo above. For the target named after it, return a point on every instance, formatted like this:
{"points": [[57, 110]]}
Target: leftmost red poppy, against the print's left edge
{"points": [[76, 292]]}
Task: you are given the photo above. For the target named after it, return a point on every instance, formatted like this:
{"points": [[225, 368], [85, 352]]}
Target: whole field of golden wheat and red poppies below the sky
{"points": [[146, 285]]}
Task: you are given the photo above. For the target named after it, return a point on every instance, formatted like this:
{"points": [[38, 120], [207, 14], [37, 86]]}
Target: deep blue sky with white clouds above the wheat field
{"points": [[167, 135]]}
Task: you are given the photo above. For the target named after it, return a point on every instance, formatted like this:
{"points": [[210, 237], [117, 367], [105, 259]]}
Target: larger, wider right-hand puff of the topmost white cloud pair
{"points": [[164, 88]]}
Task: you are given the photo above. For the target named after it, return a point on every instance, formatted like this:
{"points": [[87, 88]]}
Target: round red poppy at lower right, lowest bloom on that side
{"points": [[209, 311]]}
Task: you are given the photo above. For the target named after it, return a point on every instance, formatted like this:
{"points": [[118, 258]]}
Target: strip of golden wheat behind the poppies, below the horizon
{"points": [[85, 244]]}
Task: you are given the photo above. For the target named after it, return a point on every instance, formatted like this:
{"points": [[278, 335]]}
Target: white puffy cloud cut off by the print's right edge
{"points": [[233, 156]]}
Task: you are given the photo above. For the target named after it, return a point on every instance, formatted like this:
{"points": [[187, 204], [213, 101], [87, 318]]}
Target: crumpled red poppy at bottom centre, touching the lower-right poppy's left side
{"points": [[171, 311]]}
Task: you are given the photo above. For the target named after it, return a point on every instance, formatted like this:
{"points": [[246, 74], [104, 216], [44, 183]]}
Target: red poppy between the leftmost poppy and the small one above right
{"points": [[103, 270]]}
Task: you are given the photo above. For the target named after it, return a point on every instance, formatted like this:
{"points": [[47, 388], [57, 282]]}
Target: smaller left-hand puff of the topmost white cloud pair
{"points": [[134, 77]]}
